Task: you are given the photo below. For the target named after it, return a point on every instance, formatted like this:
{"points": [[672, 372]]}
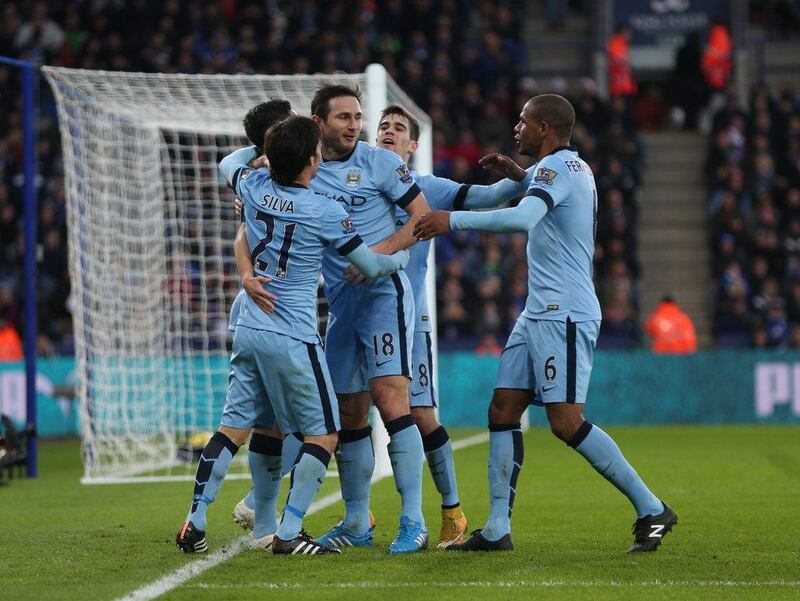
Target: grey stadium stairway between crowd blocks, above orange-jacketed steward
{"points": [[673, 244]]}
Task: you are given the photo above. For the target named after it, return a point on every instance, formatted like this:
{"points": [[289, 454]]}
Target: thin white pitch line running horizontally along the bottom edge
{"points": [[504, 584]]}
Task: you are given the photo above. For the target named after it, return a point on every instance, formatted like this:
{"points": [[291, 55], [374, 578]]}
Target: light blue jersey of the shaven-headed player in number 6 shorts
{"points": [[561, 245]]}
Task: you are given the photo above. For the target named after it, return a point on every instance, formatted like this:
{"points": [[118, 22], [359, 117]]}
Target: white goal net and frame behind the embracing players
{"points": [[151, 228]]}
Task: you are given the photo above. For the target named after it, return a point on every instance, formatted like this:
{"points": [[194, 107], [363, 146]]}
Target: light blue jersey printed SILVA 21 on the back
{"points": [[289, 229]]}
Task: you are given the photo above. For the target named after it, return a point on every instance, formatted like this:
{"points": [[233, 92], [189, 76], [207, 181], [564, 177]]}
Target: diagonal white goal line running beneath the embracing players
{"points": [[233, 548]]}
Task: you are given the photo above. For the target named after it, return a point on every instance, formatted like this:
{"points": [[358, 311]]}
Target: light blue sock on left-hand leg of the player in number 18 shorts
{"points": [[356, 462]]}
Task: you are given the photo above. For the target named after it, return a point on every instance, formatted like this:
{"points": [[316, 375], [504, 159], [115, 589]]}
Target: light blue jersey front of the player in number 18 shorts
{"points": [[368, 183]]}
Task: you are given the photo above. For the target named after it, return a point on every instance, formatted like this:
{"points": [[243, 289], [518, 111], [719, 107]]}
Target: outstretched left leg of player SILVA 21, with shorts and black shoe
{"points": [[238, 418]]}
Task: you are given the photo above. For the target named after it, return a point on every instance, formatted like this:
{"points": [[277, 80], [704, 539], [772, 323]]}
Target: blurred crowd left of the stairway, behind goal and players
{"points": [[462, 62]]}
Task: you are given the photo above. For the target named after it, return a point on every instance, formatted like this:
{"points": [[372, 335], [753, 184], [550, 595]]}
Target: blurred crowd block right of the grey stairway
{"points": [[753, 171]]}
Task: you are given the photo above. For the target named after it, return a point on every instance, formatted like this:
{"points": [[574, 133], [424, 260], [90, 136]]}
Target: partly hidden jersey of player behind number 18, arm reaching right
{"points": [[441, 194]]}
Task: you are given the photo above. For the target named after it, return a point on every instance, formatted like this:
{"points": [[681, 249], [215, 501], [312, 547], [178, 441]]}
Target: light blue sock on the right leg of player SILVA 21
{"points": [[307, 476]]}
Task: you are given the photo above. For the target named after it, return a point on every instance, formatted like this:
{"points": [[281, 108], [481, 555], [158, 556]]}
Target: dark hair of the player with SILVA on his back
{"points": [[288, 145]]}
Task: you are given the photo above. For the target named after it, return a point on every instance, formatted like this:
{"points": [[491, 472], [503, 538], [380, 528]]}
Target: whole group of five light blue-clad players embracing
{"points": [[316, 199]]}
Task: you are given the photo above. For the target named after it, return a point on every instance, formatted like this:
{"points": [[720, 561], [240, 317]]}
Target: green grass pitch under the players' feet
{"points": [[735, 489]]}
